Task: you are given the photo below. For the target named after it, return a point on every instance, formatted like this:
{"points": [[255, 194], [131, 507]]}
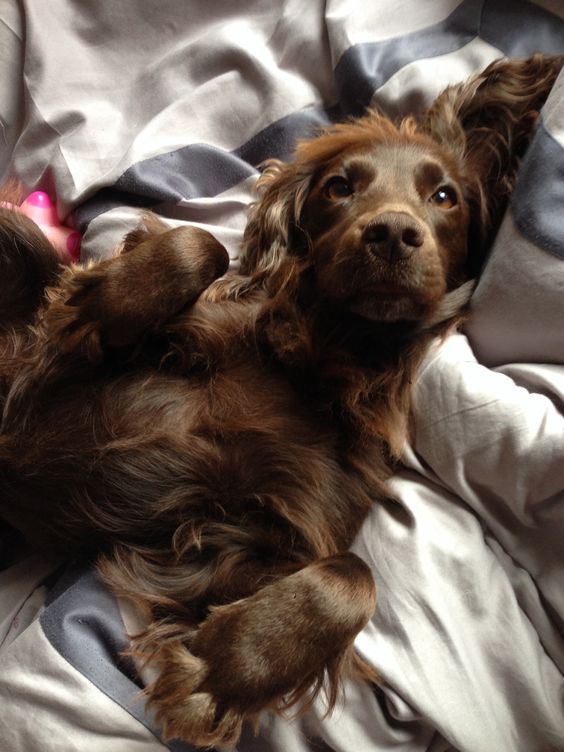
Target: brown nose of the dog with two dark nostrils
{"points": [[393, 235]]}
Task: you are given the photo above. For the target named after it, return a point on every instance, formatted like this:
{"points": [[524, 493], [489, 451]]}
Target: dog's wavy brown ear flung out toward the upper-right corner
{"points": [[488, 122]]}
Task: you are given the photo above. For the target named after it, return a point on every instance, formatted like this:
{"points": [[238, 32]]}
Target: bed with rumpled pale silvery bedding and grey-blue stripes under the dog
{"points": [[171, 106]]}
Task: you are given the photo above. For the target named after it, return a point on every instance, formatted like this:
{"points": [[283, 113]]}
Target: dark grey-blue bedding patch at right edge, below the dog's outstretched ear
{"points": [[538, 197]]}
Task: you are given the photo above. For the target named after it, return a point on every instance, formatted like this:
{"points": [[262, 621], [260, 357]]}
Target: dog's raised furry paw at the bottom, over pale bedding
{"points": [[270, 650]]}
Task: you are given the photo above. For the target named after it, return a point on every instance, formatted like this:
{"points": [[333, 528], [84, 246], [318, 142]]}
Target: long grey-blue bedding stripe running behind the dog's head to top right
{"points": [[201, 170]]}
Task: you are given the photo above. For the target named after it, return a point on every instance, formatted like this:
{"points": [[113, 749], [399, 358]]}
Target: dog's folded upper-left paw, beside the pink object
{"points": [[116, 301]]}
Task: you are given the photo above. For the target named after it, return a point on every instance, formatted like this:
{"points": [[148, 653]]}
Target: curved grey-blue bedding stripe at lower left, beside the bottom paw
{"points": [[83, 623]]}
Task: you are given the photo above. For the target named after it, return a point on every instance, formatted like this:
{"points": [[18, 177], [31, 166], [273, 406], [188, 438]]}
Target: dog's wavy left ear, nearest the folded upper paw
{"points": [[273, 226]]}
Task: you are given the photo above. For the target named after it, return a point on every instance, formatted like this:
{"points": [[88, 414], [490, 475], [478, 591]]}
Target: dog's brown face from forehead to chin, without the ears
{"points": [[386, 227]]}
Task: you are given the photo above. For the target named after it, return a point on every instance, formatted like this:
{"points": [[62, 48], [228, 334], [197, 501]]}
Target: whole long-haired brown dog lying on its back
{"points": [[216, 441]]}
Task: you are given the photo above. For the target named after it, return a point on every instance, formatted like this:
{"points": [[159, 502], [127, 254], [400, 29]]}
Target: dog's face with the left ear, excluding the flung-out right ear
{"points": [[380, 213]]}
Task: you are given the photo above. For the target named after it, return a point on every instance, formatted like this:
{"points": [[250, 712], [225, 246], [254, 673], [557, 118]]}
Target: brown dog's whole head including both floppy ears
{"points": [[390, 217]]}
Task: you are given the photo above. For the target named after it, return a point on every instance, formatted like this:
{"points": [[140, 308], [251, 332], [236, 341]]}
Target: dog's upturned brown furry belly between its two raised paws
{"points": [[135, 458]]}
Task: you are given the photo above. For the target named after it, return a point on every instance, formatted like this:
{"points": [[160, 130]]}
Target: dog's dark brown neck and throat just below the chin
{"points": [[355, 369]]}
